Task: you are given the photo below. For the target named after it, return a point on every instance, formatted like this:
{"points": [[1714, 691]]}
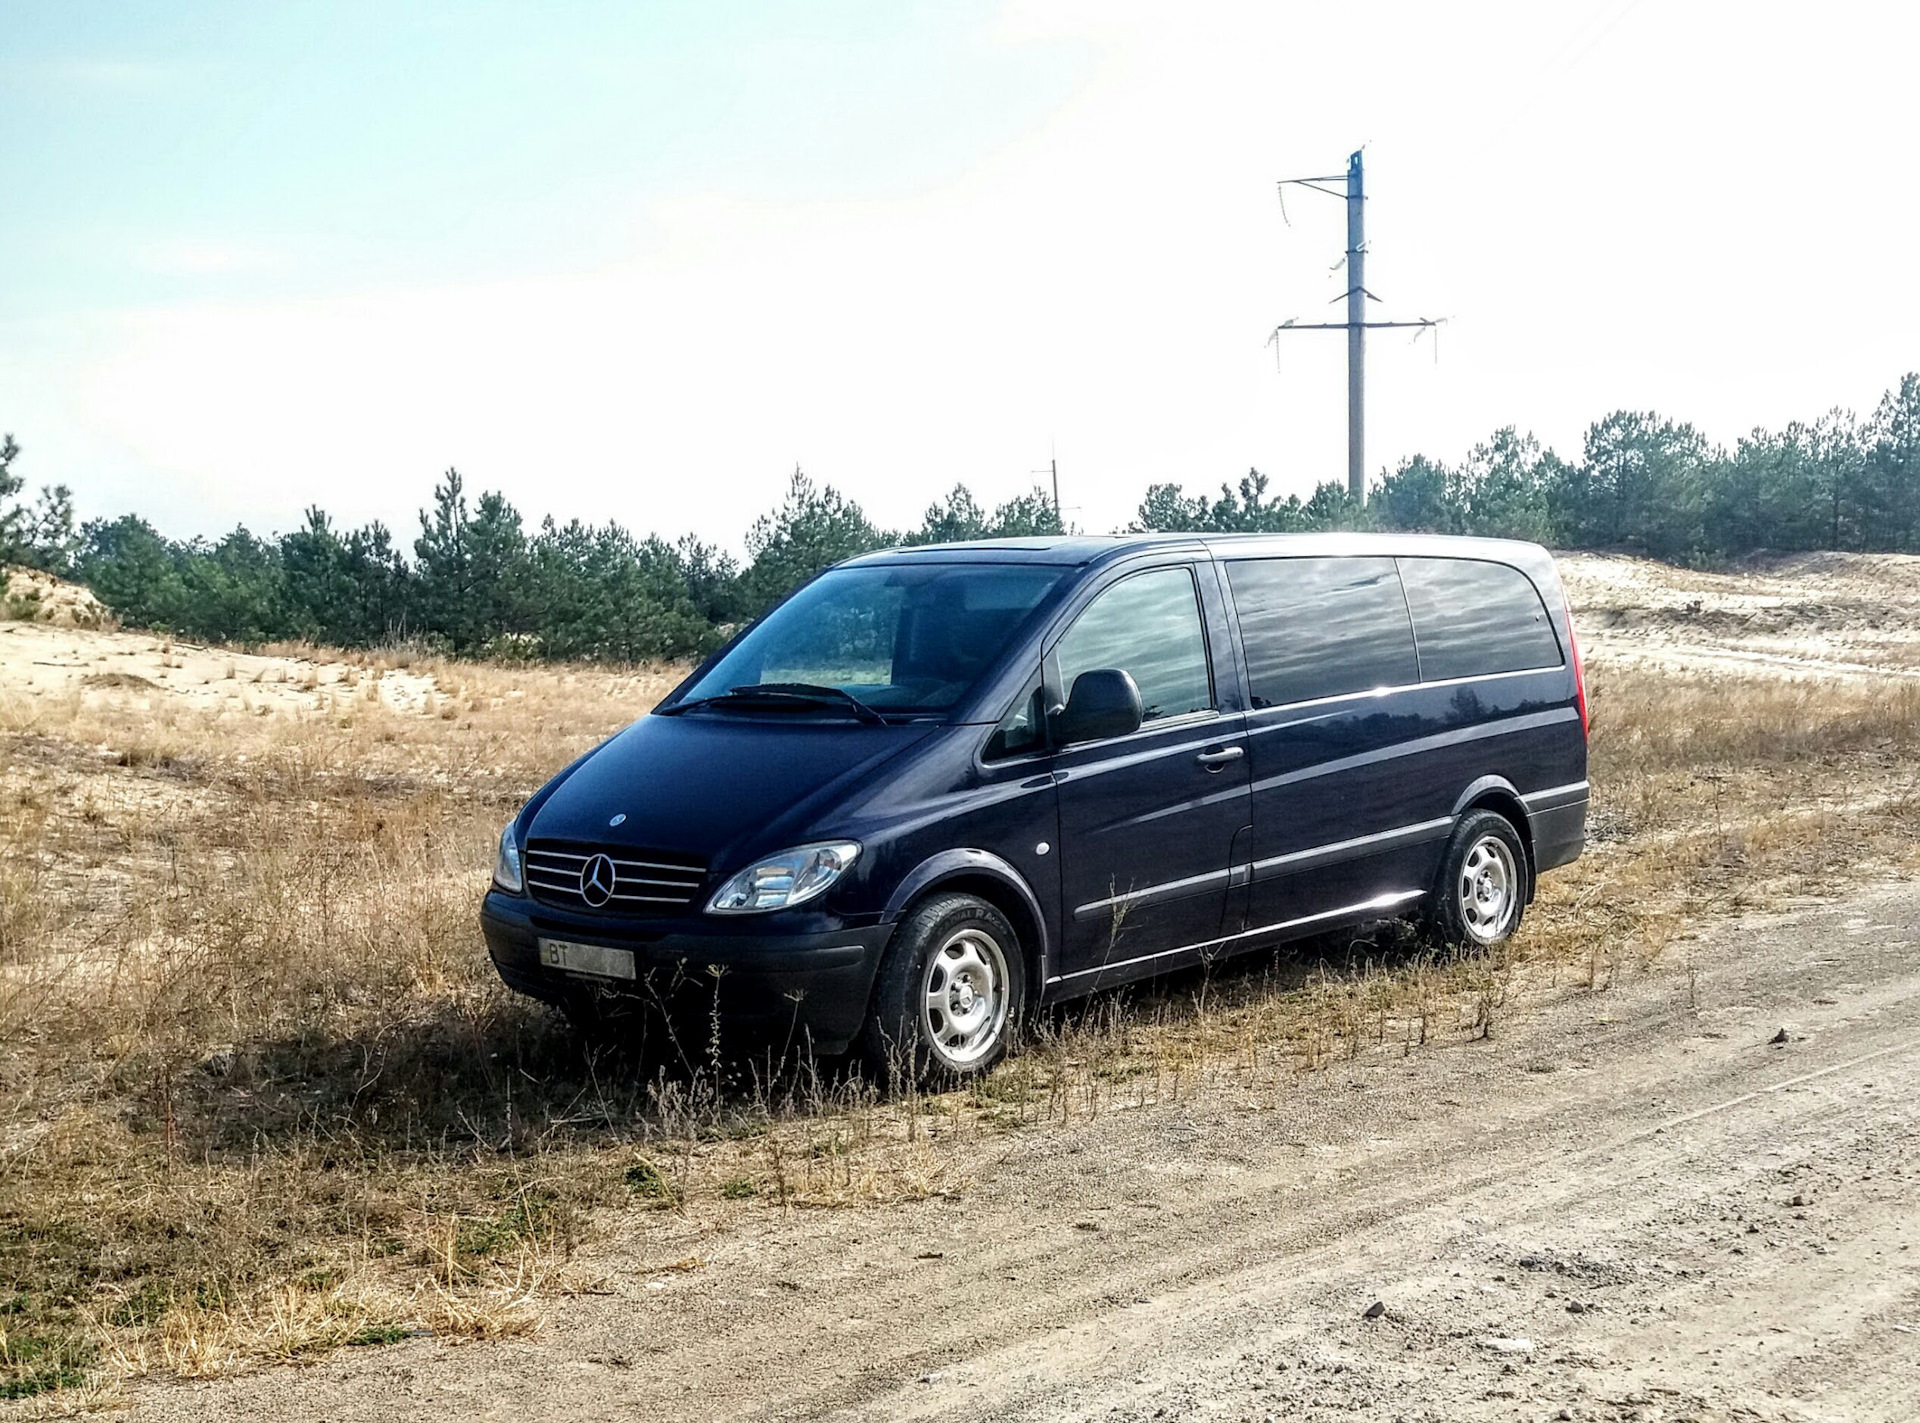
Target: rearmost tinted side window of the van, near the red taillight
{"points": [[1476, 619]]}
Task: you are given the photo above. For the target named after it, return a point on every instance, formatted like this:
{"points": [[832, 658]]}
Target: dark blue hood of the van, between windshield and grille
{"points": [[719, 786]]}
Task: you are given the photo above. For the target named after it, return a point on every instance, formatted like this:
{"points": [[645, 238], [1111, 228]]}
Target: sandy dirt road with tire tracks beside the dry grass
{"points": [[1629, 1203]]}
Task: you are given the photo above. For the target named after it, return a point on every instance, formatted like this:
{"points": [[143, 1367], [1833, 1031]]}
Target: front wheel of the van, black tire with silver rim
{"points": [[949, 998]]}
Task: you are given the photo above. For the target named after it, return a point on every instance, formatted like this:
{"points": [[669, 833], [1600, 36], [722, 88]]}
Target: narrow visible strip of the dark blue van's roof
{"points": [[1097, 548]]}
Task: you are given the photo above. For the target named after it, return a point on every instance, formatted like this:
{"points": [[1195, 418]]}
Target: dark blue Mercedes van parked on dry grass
{"points": [[942, 786]]}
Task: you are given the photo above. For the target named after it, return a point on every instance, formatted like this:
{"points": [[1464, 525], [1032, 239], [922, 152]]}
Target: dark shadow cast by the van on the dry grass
{"points": [[500, 1073]]}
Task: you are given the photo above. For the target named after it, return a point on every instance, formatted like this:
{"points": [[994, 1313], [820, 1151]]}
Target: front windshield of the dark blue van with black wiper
{"points": [[905, 639]]}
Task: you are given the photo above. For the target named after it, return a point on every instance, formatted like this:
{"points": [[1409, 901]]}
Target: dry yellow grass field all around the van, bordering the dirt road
{"points": [[264, 1099]]}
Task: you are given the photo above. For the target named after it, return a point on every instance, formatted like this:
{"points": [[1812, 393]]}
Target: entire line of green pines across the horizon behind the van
{"points": [[479, 583]]}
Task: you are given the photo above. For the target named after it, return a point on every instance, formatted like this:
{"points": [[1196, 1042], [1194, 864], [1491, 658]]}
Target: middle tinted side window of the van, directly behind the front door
{"points": [[1322, 627]]}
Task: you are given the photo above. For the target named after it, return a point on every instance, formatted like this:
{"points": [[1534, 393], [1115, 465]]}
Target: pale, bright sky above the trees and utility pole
{"points": [[640, 262]]}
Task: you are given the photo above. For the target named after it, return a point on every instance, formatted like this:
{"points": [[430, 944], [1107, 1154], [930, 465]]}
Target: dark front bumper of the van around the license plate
{"points": [[786, 990]]}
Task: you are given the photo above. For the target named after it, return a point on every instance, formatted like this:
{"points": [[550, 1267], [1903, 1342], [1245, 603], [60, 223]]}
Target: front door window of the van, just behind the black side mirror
{"points": [[1149, 627]]}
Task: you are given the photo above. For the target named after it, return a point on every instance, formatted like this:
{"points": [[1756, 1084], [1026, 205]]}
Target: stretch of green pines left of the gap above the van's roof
{"points": [[479, 583]]}
